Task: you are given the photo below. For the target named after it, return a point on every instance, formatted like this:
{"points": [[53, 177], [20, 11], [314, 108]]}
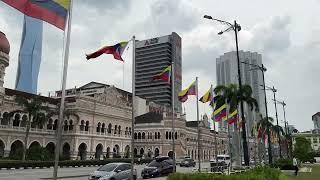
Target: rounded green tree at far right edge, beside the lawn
{"points": [[302, 149]]}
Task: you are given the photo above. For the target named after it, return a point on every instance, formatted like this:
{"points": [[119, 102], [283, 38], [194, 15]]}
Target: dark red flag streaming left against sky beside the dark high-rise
{"points": [[116, 50]]}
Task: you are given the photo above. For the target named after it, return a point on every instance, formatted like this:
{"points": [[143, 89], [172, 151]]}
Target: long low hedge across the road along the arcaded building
{"points": [[8, 164]]}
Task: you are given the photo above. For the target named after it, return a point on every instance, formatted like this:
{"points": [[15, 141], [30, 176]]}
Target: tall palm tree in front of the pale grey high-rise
{"points": [[233, 95]]}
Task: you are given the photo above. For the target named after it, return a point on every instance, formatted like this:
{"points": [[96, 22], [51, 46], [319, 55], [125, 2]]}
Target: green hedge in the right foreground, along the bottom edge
{"points": [[259, 173]]}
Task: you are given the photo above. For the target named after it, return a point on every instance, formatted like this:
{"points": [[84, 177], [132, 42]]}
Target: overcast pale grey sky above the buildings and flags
{"points": [[286, 33]]}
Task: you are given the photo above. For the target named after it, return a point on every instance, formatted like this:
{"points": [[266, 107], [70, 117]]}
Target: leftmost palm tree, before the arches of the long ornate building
{"points": [[36, 112]]}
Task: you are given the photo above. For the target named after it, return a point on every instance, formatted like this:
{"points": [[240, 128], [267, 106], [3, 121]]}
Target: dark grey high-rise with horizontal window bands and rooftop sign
{"points": [[152, 56]]}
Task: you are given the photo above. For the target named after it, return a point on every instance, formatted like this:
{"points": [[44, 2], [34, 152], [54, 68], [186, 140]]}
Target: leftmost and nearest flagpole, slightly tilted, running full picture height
{"points": [[63, 93]]}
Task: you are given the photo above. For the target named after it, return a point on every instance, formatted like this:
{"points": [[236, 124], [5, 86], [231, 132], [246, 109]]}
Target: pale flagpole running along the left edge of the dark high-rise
{"points": [[133, 100]]}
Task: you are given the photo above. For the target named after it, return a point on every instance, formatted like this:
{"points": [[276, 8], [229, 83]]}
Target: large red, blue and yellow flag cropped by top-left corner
{"points": [[54, 12]]}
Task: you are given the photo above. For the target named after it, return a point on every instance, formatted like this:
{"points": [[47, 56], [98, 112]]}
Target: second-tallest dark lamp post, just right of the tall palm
{"points": [[263, 69]]}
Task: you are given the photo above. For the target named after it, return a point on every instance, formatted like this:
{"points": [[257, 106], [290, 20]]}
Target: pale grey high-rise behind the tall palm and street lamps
{"points": [[227, 73]]}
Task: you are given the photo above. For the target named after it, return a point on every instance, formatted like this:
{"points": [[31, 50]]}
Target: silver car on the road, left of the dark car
{"points": [[113, 171]]}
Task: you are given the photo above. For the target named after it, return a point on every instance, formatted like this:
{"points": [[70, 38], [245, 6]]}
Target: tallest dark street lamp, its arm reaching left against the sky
{"points": [[236, 27]]}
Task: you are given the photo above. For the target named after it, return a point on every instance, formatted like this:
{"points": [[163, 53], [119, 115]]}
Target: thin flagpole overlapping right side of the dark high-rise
{"points": [[172, 106]]}
